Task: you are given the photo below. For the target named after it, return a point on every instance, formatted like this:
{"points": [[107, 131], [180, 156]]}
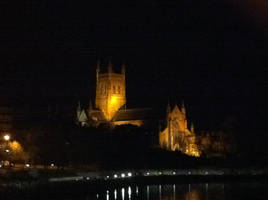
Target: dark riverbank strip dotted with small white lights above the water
{"points": [[33, 177]]}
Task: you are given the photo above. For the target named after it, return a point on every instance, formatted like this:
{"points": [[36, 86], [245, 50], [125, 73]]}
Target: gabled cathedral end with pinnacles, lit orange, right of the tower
{"points": [[176, 136]]}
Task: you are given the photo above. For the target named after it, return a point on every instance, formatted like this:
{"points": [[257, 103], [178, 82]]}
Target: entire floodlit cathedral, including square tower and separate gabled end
{"points": [[110, 108]]}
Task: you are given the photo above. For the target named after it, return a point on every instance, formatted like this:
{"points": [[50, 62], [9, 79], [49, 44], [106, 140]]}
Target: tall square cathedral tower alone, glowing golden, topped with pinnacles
{"points": [[110, 91]]}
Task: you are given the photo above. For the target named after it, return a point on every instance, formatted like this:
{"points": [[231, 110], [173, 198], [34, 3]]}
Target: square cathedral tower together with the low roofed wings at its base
{"points": [[110, 102]]}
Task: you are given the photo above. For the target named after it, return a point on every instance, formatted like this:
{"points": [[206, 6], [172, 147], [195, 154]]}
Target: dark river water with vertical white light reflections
{"points": [[254, 190]]}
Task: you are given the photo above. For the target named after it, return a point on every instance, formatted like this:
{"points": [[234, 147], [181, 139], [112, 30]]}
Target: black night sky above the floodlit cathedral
{"points": [[212, 54]]}
